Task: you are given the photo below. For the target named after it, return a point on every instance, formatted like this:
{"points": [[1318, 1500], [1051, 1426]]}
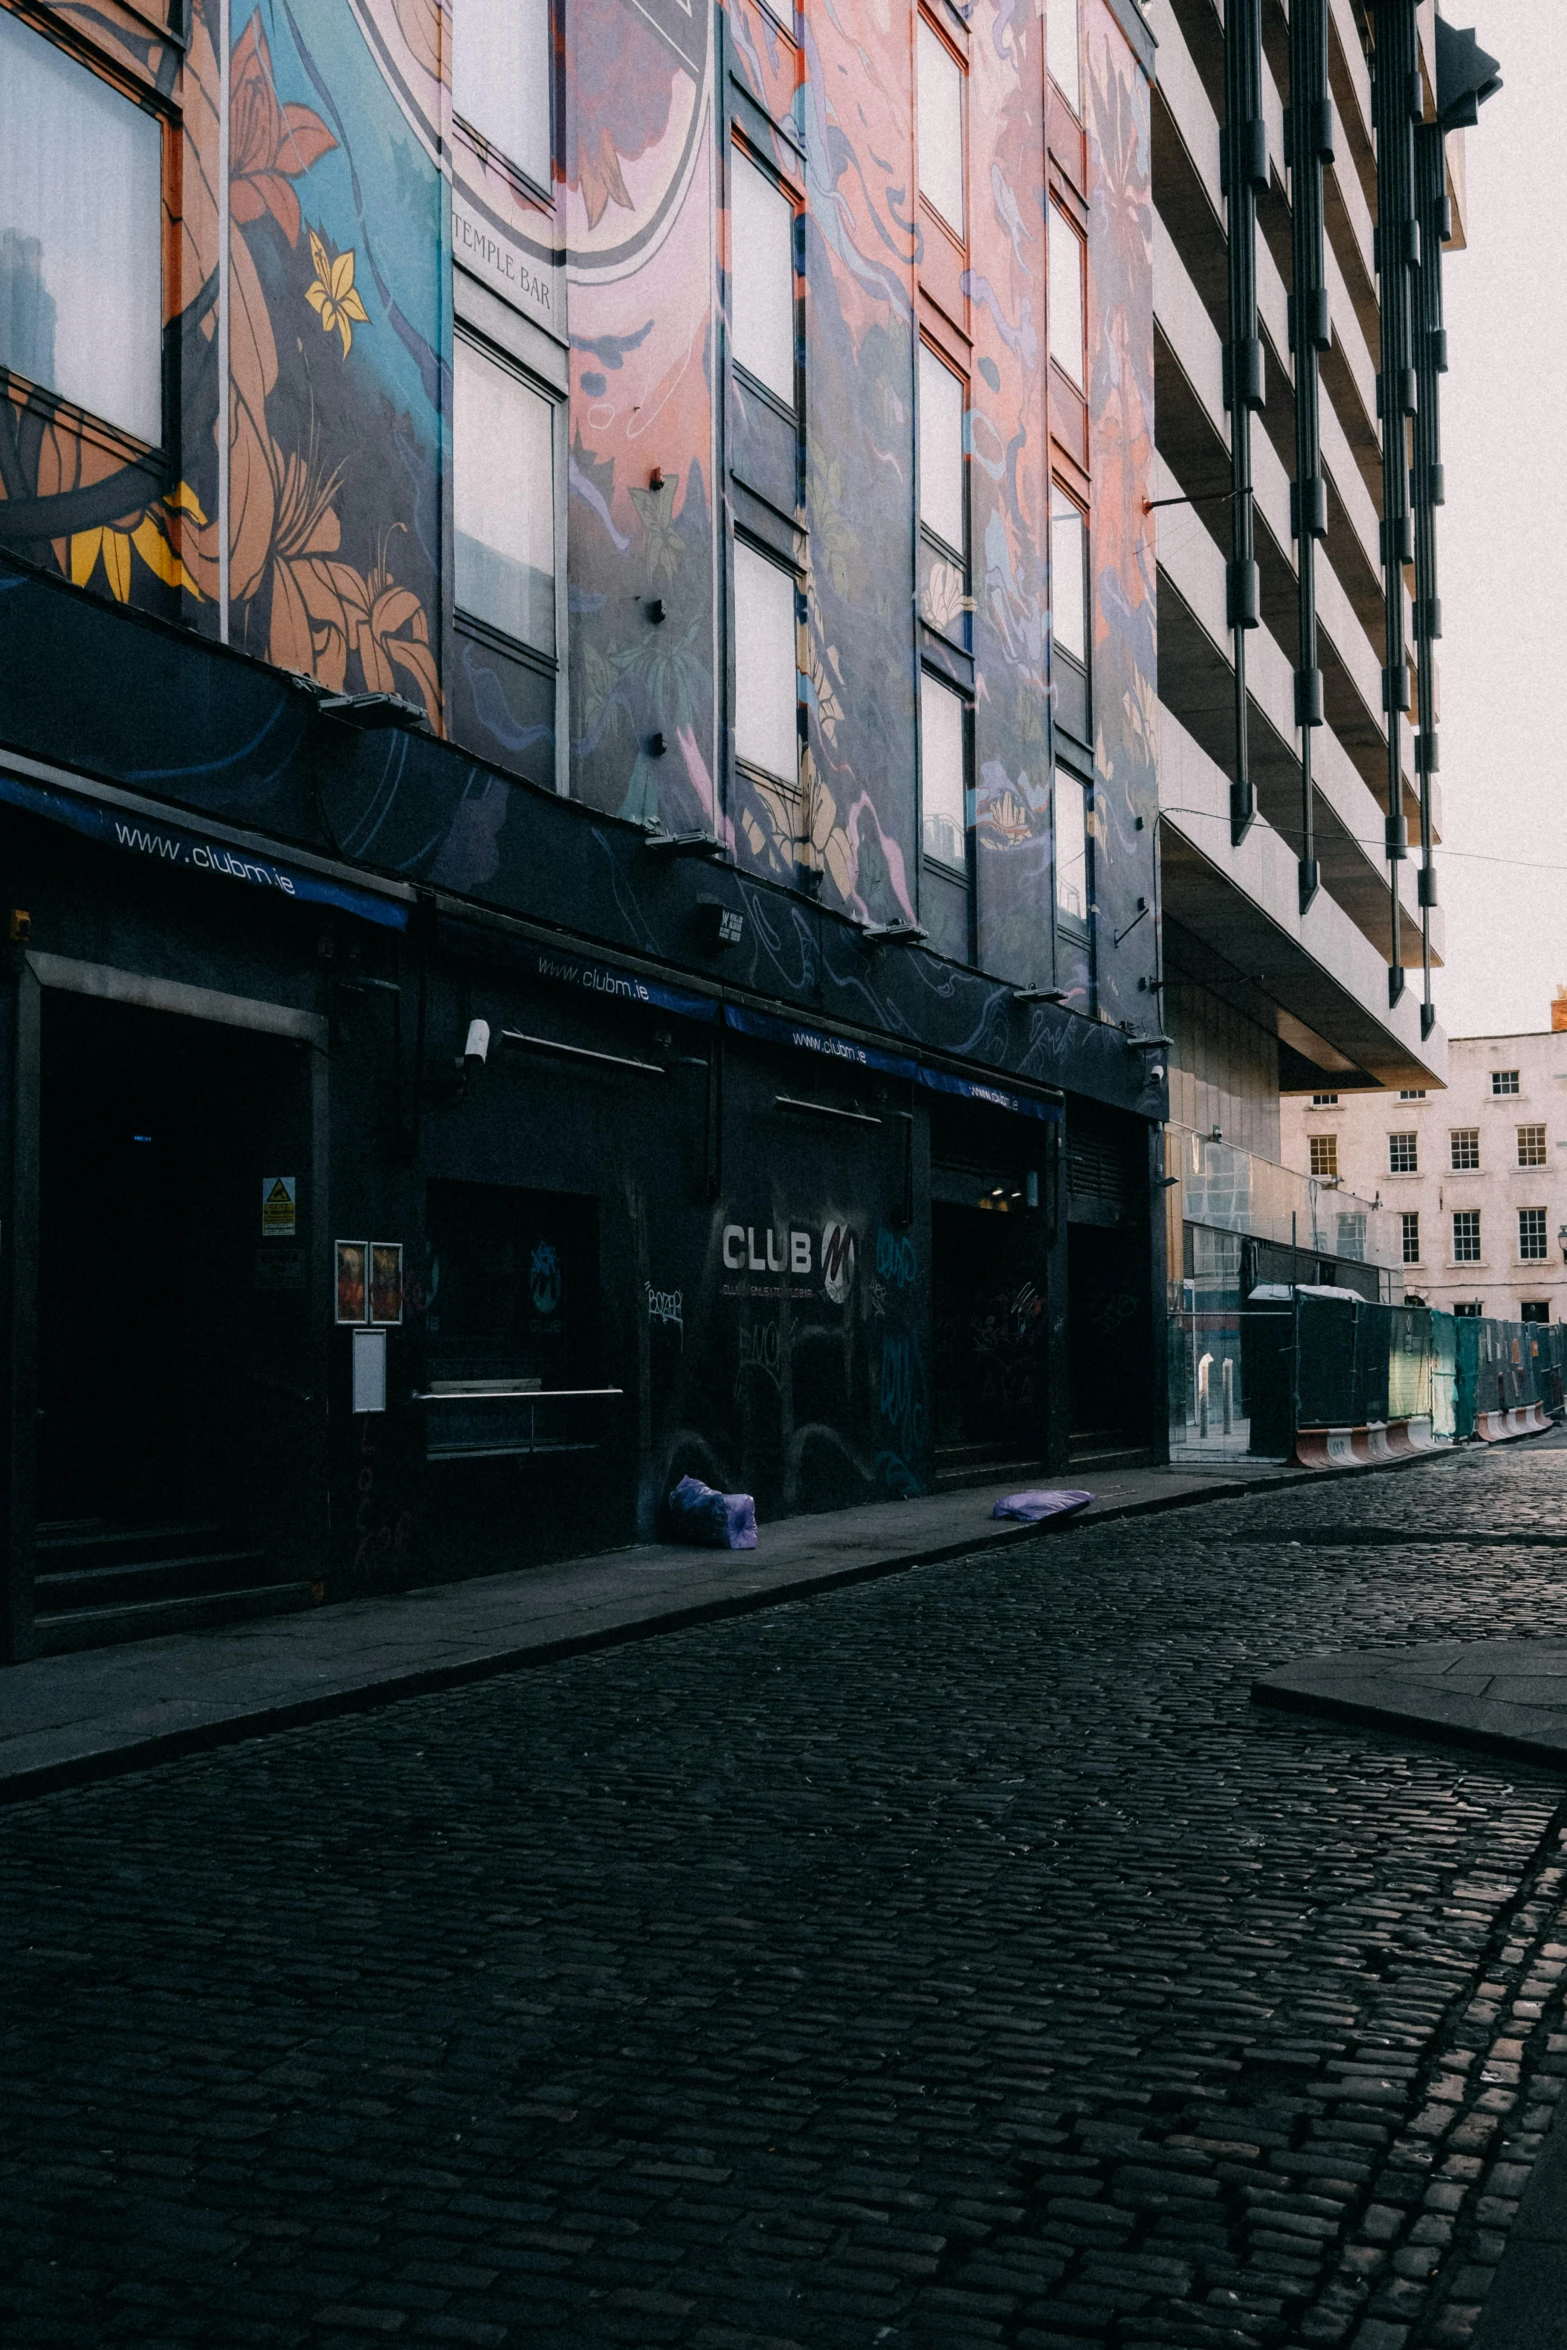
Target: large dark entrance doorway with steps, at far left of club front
{"points": [[175, 1411]]}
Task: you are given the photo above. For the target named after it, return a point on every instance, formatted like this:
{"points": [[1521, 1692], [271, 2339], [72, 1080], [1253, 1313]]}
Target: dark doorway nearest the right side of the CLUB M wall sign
{"points": [[990, 1341]]}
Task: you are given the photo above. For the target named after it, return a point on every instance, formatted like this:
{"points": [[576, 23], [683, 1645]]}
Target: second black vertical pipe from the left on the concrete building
{"points": [[1310, 147]]}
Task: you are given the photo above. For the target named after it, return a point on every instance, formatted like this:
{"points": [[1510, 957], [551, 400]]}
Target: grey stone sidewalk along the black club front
{"points": [[102, 1712]]}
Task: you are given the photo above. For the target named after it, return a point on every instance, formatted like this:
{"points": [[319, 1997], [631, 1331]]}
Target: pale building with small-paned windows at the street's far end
{"points": [[1474, 1176]]}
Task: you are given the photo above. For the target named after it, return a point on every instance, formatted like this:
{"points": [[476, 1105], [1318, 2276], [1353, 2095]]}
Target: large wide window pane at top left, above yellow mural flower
{"points": [[81, 222]]}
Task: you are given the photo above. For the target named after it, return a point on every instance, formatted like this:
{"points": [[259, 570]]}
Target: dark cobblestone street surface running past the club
{"points": [[950, 1961]]}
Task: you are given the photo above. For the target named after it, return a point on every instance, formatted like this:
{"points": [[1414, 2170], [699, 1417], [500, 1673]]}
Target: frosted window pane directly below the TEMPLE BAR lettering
{"points": [[504, 499]]}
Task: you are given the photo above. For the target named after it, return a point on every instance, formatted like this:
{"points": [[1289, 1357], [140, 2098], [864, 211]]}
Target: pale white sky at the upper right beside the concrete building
{"points": [[1502, 546]]}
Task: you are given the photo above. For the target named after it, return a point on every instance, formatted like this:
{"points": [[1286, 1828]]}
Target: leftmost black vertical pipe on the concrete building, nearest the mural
{"points": [[1246, 170]]}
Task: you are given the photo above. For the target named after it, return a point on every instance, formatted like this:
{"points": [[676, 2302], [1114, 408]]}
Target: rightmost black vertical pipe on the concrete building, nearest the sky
{"points": [[1430, 492]]}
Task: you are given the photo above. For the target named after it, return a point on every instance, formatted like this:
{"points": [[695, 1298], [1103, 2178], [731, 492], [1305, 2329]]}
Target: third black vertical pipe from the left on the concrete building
{"points": [[1399, 109]]}
